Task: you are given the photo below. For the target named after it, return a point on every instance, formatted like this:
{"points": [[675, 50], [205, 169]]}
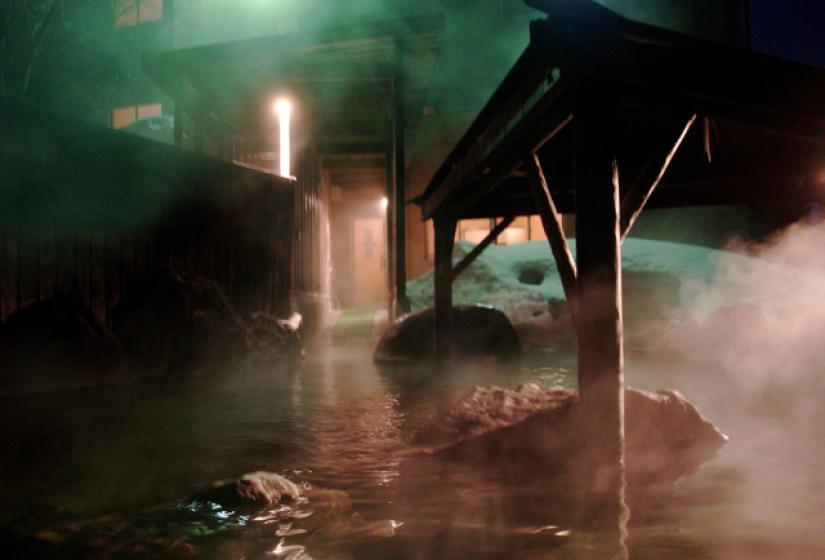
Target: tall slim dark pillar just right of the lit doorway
{"points": [[399, 206]]}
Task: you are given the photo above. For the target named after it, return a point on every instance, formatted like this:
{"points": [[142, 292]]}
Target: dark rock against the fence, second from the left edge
{"points": [[178, 322]]}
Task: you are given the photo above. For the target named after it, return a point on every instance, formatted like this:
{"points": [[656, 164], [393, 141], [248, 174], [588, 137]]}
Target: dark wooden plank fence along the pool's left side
{"points": [[93, 212]]}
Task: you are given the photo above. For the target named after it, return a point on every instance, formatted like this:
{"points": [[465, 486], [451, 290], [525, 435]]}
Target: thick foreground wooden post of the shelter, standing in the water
{"points": [[599, 321]]}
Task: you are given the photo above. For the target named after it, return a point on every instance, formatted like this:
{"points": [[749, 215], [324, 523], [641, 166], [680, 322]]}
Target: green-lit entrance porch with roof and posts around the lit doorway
{"points": [[360, 91]]}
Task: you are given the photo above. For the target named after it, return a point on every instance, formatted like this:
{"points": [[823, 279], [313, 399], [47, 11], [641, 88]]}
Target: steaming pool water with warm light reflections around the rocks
{"points": [[107, 470]]}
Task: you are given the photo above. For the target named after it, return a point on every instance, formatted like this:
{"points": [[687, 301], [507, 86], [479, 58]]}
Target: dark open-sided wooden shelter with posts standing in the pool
{"points": [[603, 117]]}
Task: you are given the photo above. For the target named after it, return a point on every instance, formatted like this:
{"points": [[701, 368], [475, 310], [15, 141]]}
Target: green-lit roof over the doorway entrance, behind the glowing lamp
{"points": [[341, 77]]}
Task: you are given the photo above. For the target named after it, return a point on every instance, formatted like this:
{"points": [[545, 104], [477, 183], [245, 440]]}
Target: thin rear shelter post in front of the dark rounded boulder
{"points": [[443, 301]]}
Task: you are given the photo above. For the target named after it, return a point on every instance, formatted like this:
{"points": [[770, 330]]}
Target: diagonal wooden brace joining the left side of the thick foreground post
{"points": [[553, 229]]}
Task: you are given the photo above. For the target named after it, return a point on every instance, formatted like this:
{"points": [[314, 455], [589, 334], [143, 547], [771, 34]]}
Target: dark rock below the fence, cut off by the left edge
{"points": [[56, 344]]}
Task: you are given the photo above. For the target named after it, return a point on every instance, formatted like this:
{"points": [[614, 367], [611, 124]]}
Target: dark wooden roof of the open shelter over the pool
{"points": [[759, 129]]}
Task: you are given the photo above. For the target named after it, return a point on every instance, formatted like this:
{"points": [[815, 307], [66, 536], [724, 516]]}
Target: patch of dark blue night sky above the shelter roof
{"points": [[792, 29]]}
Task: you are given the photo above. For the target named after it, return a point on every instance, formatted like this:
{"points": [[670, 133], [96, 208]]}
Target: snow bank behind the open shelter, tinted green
{"points": [[665, 284]]}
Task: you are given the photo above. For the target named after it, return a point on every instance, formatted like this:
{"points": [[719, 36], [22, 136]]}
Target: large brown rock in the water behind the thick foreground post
{"points": [[541, 432]]}
